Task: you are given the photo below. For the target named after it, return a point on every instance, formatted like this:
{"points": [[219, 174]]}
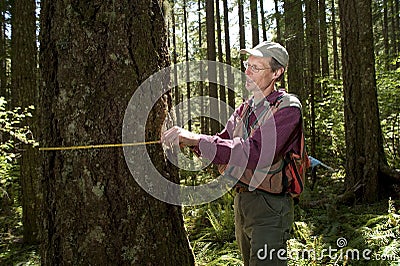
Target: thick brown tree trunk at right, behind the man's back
{"points": [[364, 148]]}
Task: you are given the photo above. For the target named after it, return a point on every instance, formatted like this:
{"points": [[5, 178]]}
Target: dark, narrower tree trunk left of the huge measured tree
{"points": [[25, 93]]}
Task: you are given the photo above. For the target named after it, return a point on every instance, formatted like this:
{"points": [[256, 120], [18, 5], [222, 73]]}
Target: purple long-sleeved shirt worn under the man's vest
{"points": [[268, 143]]}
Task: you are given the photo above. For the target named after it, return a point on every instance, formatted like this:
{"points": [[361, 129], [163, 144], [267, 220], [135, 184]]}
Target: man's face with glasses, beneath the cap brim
{"points": [[260, 78]]}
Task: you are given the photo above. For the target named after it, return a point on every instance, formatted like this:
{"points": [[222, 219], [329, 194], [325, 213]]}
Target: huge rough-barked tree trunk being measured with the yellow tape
{"points": [[94, 55]]}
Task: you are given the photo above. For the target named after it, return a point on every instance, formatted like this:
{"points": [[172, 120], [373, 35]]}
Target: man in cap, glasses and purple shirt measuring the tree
{"points": [[262, 219]]}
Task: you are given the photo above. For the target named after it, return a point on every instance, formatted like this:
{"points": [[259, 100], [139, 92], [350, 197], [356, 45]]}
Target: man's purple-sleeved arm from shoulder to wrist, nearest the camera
{"points": [[261, 148]]}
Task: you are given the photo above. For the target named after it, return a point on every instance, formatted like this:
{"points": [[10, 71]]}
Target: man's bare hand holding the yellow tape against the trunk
{"points": [[179, 136]]}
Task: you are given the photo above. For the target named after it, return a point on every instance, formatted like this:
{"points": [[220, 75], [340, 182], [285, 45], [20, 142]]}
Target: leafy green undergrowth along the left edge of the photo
{"points": [[12, 134]]}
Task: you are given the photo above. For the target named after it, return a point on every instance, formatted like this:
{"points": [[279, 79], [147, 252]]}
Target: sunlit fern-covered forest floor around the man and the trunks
{"points": [[210, 227]]}
